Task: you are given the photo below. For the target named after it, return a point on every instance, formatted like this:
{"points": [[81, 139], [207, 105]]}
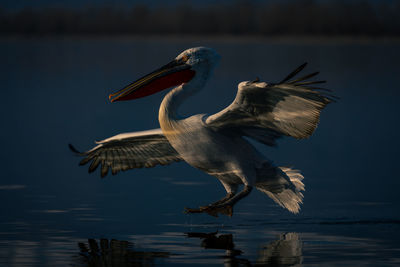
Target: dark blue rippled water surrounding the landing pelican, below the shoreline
{"points": [[53, 213]]}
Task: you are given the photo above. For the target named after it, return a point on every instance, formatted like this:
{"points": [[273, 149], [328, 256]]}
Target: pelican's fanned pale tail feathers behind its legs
{"points": [[287, 195]]}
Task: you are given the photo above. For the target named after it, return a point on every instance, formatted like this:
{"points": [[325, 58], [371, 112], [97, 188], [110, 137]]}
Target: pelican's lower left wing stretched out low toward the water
{"points": [[128, 151]]}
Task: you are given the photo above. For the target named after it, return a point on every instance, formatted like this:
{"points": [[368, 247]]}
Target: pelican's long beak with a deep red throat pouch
{"points": [[172, 74]]}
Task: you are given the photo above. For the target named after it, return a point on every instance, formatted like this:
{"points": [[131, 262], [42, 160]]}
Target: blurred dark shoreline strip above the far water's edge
{"points": [[242, 17]]}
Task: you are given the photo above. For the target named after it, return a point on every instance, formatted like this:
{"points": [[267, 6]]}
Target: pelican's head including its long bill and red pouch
{"points": [[192, 63]]}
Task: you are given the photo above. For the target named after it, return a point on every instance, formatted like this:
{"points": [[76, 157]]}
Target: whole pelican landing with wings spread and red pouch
{"points": [[216, 144]]}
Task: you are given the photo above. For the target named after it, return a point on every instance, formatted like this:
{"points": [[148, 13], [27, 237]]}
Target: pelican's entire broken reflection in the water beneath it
{"points": [[285, 251]]}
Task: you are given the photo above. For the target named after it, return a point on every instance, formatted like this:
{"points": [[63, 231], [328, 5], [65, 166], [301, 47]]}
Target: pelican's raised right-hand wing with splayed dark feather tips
{"points": [[265, 111]]}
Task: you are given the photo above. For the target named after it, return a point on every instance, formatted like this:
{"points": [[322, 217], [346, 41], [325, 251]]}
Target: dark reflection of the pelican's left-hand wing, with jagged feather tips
{"points": [[113, 252]]}
